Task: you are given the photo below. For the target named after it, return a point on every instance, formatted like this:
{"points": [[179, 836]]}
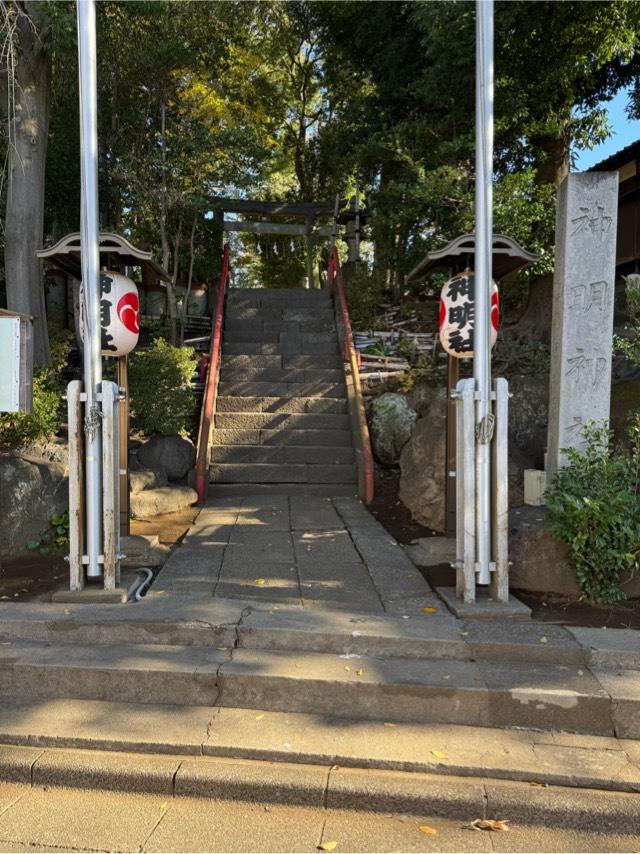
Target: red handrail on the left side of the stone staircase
{"points": [[211, 382]]}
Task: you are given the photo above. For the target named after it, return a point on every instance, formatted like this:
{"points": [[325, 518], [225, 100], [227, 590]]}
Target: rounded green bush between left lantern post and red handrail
{"points": [[162, 399]]}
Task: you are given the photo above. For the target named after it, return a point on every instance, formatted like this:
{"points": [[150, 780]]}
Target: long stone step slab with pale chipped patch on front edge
{"points": [[397, 690]]}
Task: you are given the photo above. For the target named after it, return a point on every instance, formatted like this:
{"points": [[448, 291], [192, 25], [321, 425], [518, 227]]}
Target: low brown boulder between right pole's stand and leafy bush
{"points": [[539, 560]]}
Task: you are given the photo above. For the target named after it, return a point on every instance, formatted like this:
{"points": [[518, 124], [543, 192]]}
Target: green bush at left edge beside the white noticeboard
{"points": [[17, 429]]}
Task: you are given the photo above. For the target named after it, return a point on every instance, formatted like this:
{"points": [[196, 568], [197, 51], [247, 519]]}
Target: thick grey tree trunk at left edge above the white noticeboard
{"points": [[28, 128]]}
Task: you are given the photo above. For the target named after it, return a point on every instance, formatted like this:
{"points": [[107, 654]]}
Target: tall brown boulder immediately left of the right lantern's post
{"points": [[422, 467]]}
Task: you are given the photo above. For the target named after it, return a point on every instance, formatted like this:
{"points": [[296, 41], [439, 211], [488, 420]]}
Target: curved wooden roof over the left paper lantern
{"points": [[115, 252]]}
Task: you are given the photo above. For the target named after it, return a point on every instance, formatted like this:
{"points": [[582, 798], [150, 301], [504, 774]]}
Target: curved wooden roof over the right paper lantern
{"points": [[508, 256]]}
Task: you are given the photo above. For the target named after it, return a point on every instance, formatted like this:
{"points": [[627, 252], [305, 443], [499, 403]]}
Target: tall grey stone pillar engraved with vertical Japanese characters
{"points": [[583, 293]]}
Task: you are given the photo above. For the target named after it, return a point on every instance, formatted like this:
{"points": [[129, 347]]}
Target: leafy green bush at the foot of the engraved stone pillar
{"points": [[594, 507]]}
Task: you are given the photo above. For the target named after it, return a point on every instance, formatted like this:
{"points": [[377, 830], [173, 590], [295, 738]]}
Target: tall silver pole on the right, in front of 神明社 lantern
{"points": [[483, 257]]}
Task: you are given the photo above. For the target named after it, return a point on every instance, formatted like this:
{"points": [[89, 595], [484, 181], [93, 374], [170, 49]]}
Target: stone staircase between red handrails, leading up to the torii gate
{"points": [[282, 409]]}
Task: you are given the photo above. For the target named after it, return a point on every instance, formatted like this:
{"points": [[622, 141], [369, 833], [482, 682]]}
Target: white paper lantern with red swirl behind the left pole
{"points": [[119, 314]]}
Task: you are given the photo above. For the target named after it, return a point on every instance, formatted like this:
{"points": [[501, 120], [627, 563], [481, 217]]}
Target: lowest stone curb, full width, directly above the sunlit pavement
{"points": [[323, 787]]}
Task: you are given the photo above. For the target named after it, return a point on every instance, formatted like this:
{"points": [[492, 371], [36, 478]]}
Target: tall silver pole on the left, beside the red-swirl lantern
{"points": [[87, 66]]}
